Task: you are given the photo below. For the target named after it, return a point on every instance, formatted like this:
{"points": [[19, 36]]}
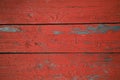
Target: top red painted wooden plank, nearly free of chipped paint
{"points": [[59, 11]]}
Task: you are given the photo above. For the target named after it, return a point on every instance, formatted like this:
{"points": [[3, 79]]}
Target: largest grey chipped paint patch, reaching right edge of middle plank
{"points": [[99, 29]]}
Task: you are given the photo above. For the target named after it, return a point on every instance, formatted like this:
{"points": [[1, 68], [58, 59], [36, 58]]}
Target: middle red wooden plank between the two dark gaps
{"points": [[60, 38]]}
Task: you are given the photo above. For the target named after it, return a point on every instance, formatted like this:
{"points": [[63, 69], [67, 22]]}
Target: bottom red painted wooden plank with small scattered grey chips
{"points": [[60, 66]]}
